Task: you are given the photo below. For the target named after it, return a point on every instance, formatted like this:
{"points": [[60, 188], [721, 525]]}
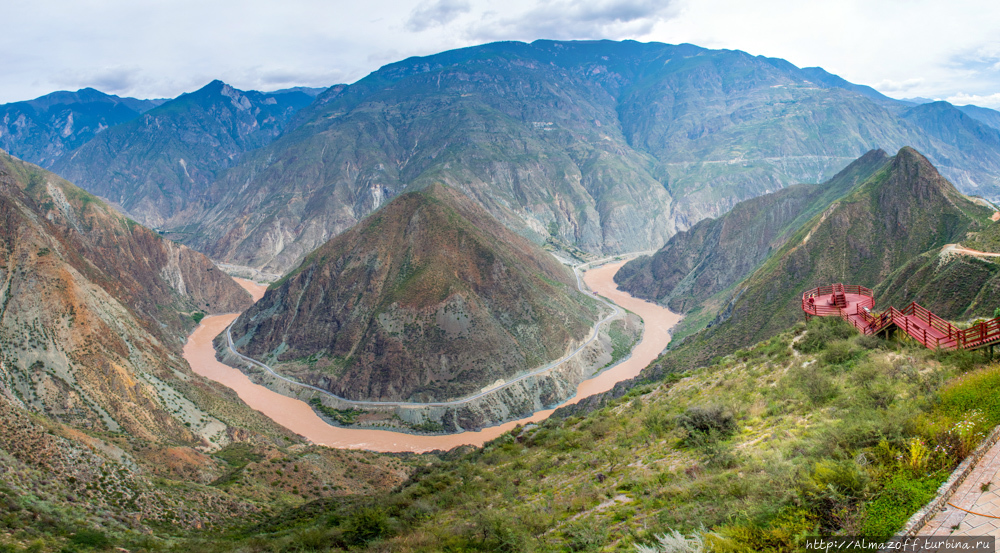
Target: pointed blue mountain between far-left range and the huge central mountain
{"points": [[157, 166]]}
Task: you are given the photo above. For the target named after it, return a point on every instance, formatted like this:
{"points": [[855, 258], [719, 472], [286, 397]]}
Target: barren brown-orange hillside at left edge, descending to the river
{"points": [[107, 433]]}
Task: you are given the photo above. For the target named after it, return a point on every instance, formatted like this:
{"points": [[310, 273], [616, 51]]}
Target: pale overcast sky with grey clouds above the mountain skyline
{"points": [[161, 48]]}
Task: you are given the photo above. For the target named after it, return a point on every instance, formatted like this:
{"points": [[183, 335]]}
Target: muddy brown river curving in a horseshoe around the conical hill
{"points": [[298, 417]]}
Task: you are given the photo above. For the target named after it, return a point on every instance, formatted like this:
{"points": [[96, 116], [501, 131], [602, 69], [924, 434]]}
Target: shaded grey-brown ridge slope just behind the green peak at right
{"points": [[717, 253]]}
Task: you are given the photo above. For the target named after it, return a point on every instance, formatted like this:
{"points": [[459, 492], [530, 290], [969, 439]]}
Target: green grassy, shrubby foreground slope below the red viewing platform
{"points": [[862, 430]]}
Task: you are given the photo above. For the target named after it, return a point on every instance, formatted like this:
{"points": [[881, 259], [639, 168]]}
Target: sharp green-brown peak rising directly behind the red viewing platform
{"points": [[903, 211]]}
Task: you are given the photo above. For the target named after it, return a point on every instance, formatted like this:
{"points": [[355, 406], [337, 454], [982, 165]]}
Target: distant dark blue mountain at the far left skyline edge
{"points": [[44, 129]]}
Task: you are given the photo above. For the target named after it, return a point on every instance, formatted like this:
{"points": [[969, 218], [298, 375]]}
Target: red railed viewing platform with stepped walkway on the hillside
{"points": [[855, 304]]}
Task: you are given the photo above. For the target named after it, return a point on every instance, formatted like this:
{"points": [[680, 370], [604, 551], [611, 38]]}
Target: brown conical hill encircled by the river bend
{"points": [[427, 299]]}
